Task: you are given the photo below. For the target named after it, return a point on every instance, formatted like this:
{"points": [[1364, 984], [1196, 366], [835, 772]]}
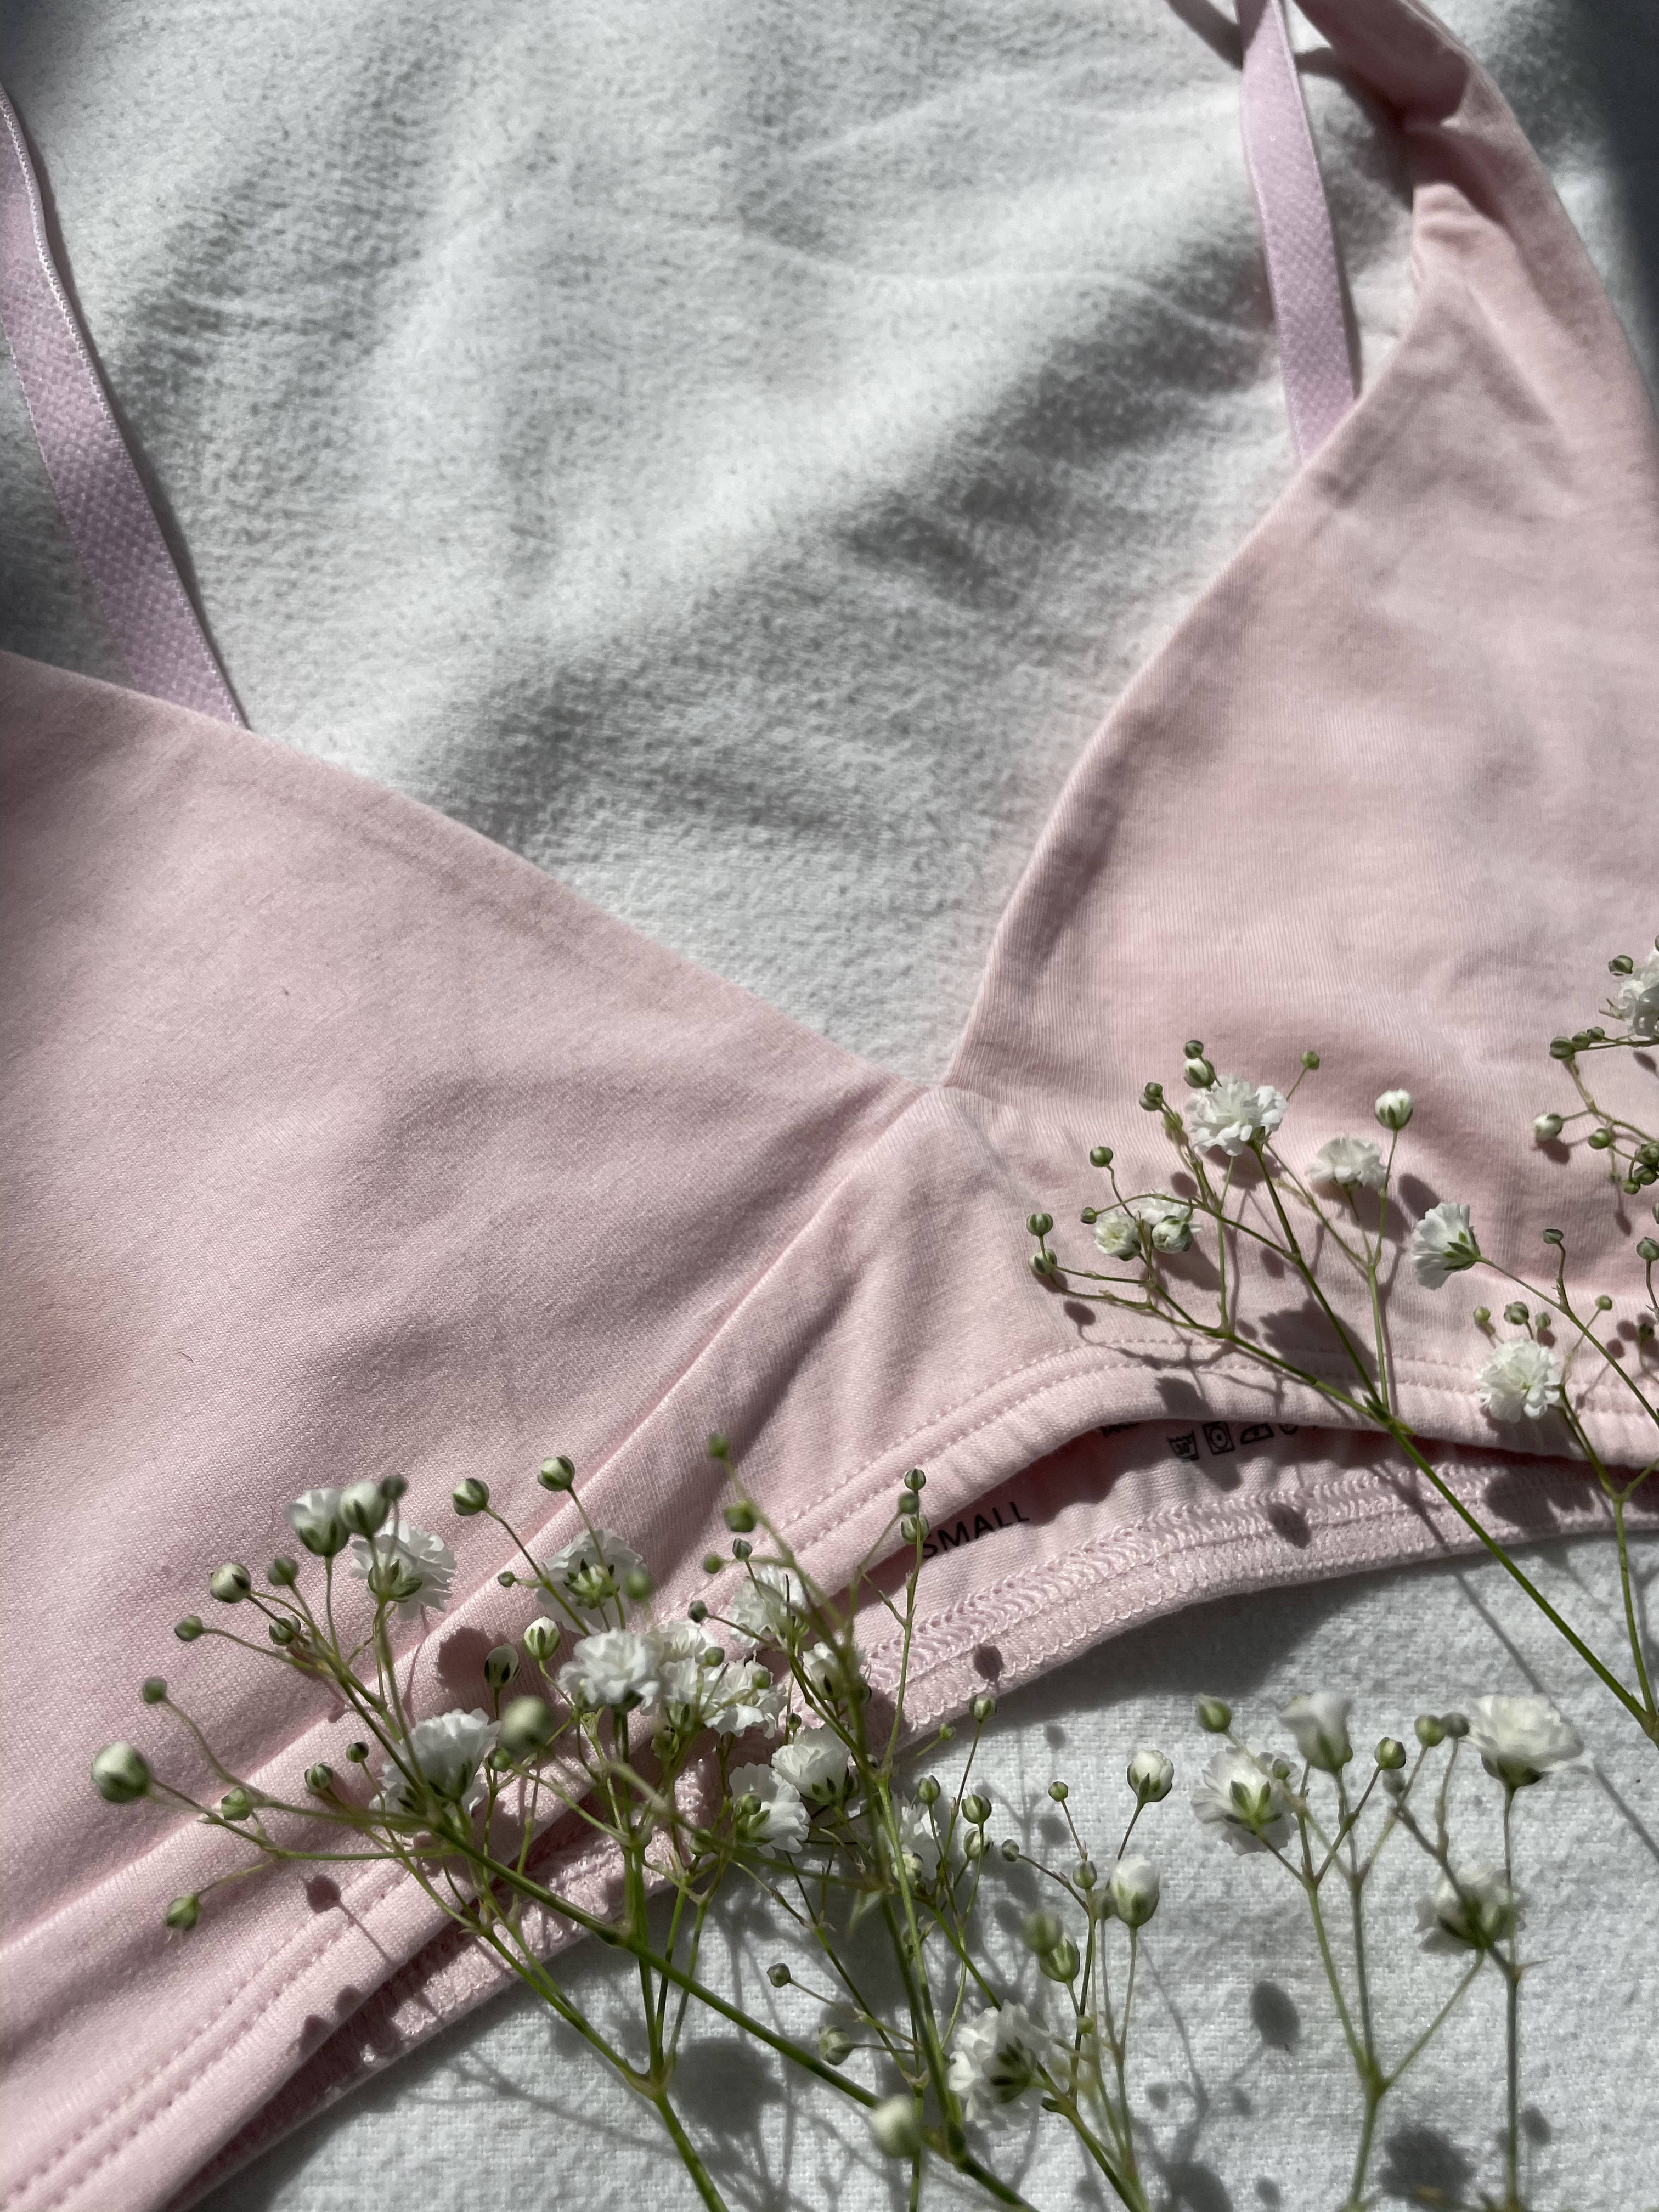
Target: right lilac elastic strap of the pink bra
{"points": [[1295, 231]]}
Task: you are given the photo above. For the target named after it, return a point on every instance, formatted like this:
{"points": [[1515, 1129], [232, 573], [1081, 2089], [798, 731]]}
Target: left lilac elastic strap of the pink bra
{"points": [[87, 463]]}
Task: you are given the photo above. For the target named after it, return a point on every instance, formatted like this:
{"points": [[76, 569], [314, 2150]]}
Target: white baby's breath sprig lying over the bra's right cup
{"points": [[1344, 1218]]}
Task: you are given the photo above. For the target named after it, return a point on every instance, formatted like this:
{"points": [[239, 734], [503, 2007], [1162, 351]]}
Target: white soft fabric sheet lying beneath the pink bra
{"points": [[735, 455]]}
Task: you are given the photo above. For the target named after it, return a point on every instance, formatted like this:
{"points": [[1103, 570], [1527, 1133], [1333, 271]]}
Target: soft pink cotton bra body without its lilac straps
{"points": [[344, 1142]]}
